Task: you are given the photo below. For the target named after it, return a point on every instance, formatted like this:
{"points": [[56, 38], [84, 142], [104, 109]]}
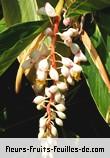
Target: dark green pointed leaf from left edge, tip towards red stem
{"points": [[15, 39]]}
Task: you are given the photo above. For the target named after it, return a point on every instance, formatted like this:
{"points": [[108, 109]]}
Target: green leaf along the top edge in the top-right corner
{"points": [[80, 7]]}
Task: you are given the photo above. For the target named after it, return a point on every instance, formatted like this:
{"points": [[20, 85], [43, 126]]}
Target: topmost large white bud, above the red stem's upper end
{"points": [[50, 11]]}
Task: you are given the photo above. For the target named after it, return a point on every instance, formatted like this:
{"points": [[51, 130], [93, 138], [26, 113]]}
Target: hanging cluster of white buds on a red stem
{"points": [[59, 71]]}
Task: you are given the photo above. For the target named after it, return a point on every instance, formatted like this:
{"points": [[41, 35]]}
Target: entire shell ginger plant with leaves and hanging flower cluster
{"points": [[53, 50]]}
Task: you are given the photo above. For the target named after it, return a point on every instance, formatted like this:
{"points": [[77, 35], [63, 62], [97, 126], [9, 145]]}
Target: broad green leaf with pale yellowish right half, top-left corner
{"points": [[18, 11]]}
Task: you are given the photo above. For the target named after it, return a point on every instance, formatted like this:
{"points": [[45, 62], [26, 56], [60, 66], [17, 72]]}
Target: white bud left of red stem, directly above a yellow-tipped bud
{"points": [[43, 65]]}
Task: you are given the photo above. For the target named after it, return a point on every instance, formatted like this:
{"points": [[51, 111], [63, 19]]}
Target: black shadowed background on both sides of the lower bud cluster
{"points": [[19, 117]]}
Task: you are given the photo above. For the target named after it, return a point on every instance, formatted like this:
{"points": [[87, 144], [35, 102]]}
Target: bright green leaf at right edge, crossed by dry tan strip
{"points": [[98, 89]]}
